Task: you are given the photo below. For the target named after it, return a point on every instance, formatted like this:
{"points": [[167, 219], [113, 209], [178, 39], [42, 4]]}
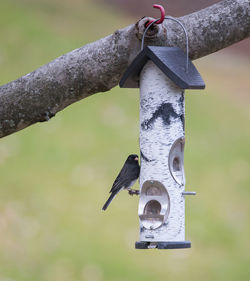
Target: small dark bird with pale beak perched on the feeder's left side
{"points": [[126, 178]]}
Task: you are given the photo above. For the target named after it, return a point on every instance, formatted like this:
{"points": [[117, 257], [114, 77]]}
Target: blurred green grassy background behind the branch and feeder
{"points": [[56, 176]]}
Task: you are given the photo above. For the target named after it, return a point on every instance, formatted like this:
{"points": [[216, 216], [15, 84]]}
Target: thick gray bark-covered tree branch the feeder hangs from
{"points": [[97, 67]]}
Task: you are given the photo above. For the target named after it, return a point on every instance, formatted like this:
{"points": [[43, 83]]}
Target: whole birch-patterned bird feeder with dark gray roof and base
{"points": [[161, 74]]}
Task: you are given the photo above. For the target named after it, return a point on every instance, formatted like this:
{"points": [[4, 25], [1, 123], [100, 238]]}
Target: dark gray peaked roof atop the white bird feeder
{"points": [[171, 61]]}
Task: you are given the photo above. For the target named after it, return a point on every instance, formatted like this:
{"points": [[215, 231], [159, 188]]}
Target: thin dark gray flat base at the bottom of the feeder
{"points": [[162, 245]]}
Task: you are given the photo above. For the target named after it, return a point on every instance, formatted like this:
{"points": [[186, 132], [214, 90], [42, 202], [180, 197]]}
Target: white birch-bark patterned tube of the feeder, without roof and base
{"points": [[162, 216]]}
